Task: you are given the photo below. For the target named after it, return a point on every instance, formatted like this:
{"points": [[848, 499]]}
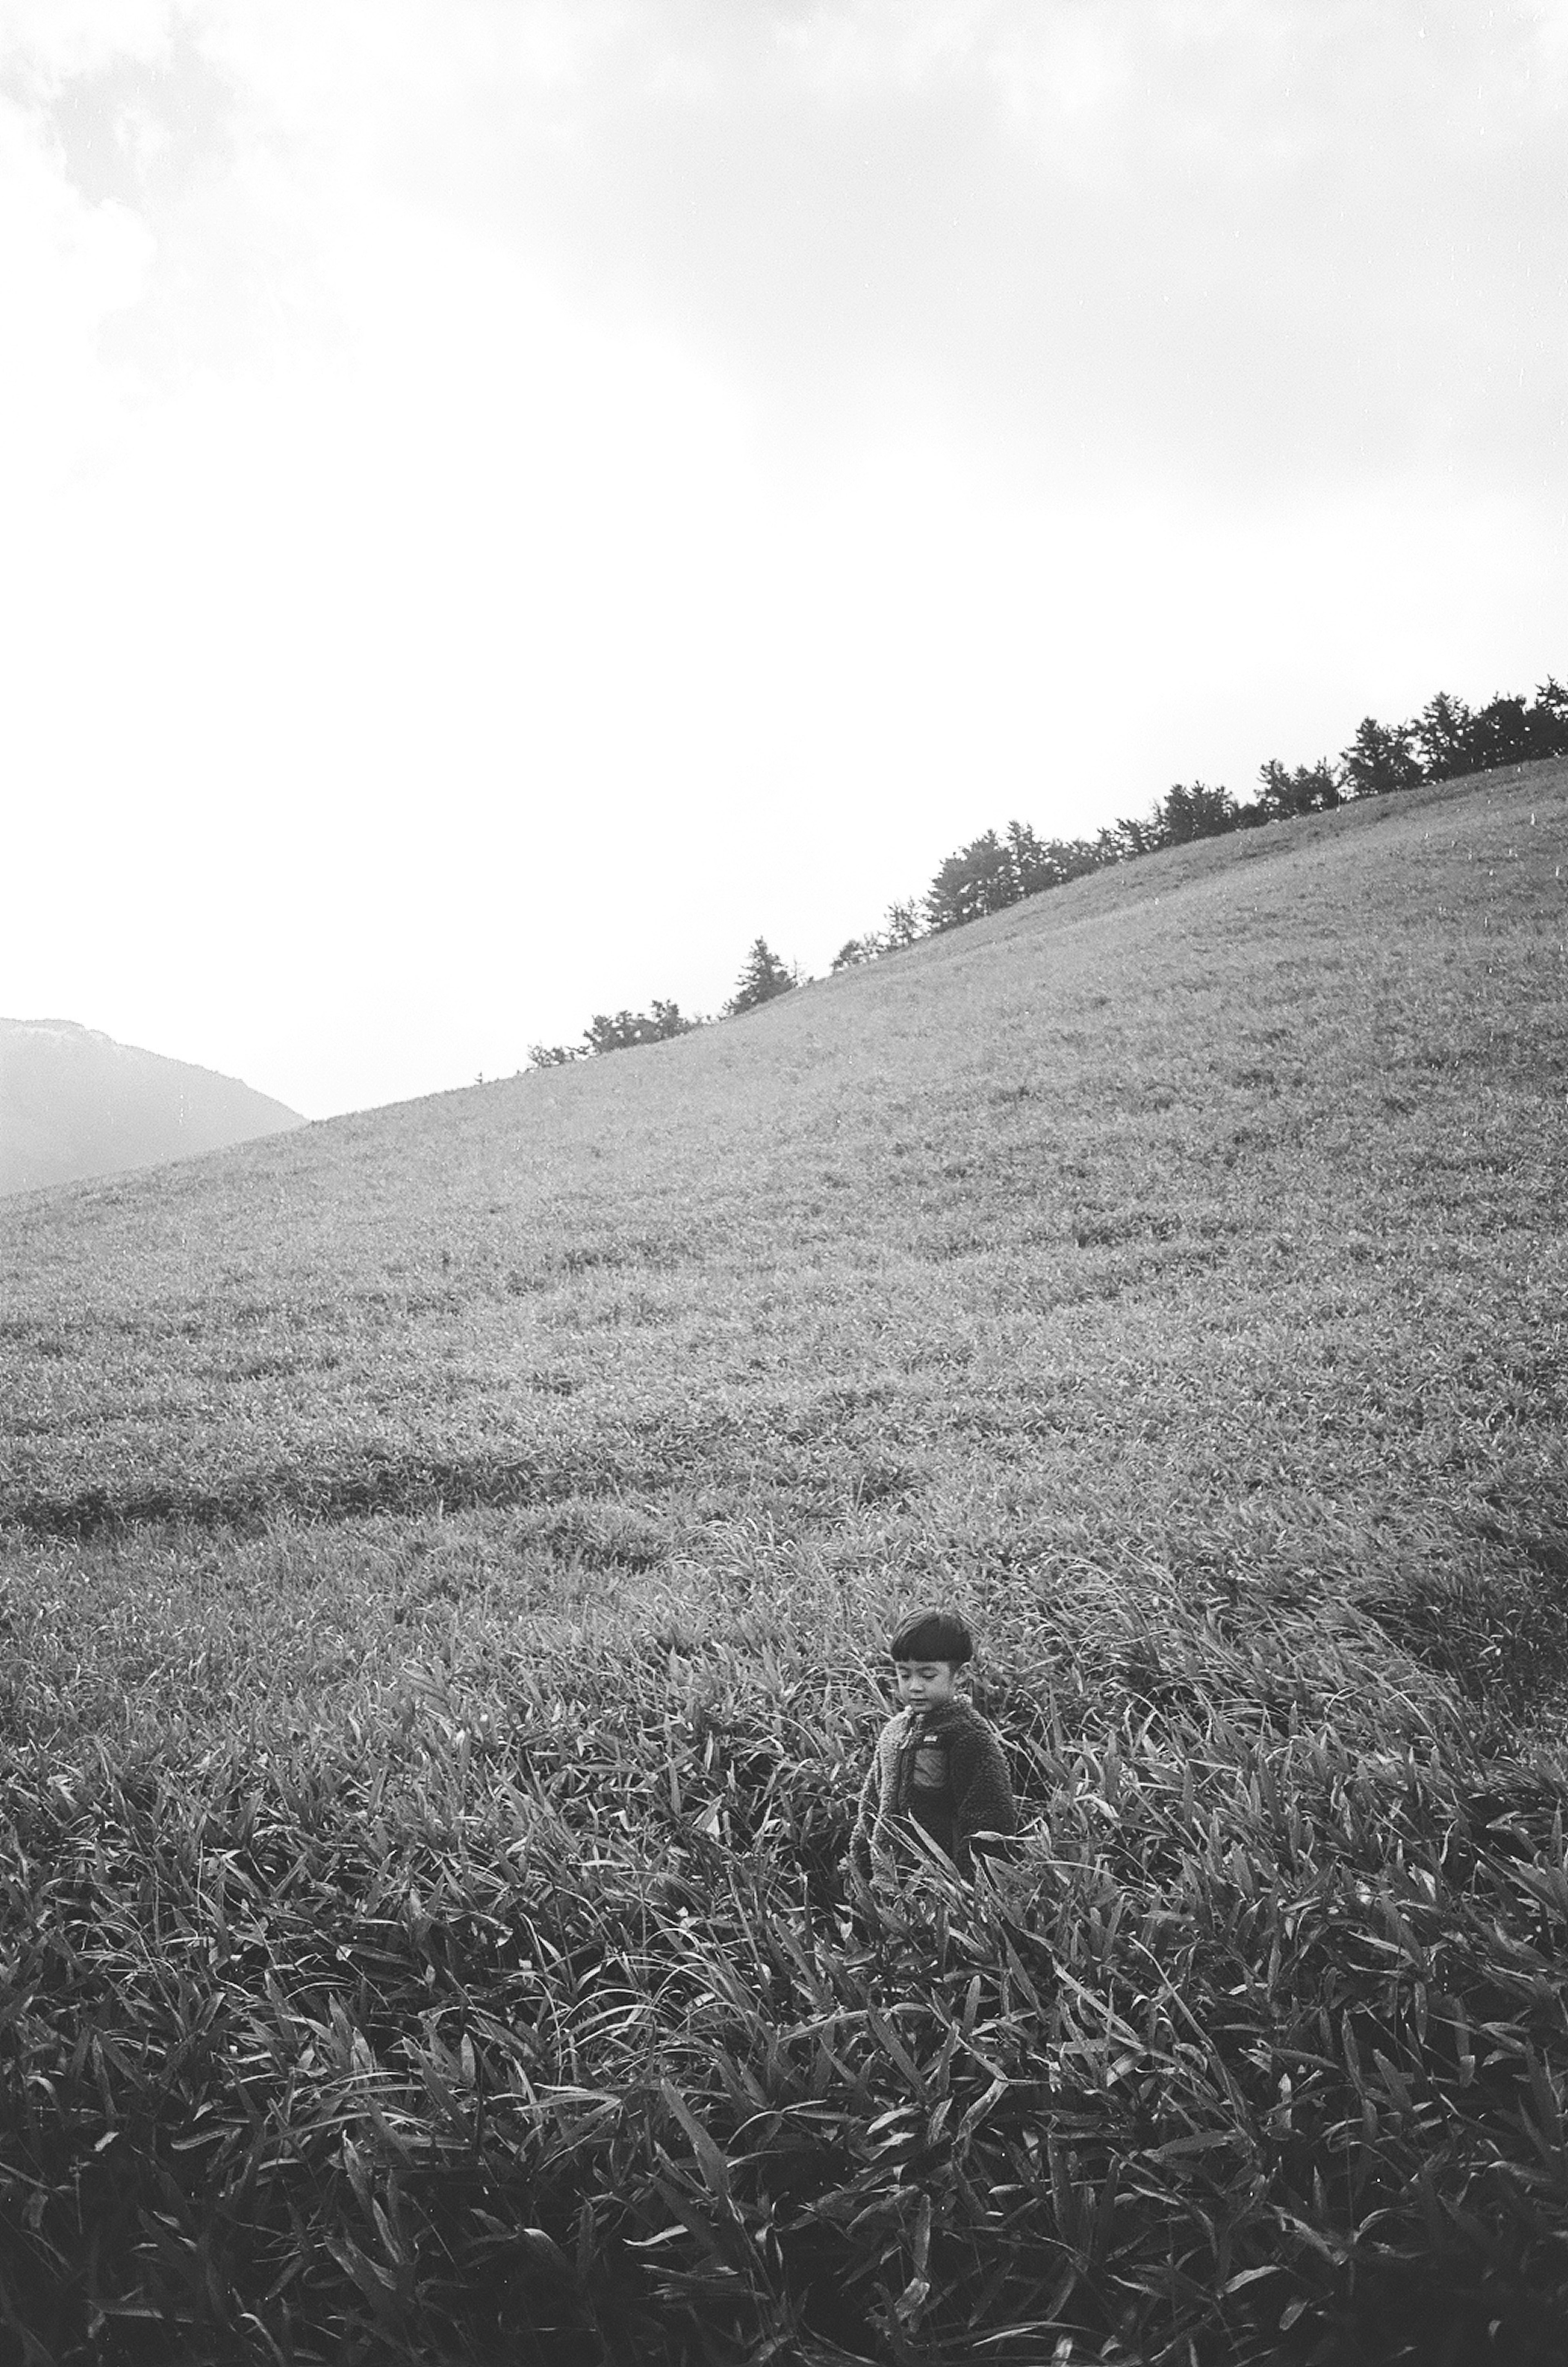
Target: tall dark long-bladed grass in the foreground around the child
{"points": [[562, 2044]]}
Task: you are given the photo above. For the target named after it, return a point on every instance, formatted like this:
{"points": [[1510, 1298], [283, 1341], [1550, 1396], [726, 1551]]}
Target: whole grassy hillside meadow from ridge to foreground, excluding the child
{"points": [[446, 1559]]}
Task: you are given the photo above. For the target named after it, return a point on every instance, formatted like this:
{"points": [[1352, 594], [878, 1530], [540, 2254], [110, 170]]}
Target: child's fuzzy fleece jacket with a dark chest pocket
{"points": [[945, 1769]]}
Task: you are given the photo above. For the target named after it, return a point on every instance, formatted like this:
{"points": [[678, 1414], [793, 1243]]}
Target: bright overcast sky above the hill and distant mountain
{"points": [[505, 501]]}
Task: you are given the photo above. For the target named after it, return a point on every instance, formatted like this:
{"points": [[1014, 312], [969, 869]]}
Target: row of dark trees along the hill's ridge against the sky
{"points": [[1444, 742]]}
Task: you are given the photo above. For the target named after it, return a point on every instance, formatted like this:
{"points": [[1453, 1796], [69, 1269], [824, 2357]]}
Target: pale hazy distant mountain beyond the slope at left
{"points": [[77, 1104]]}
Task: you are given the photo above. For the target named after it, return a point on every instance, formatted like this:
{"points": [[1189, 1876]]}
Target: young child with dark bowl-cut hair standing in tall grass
{"points": [[938, 1762]]}
